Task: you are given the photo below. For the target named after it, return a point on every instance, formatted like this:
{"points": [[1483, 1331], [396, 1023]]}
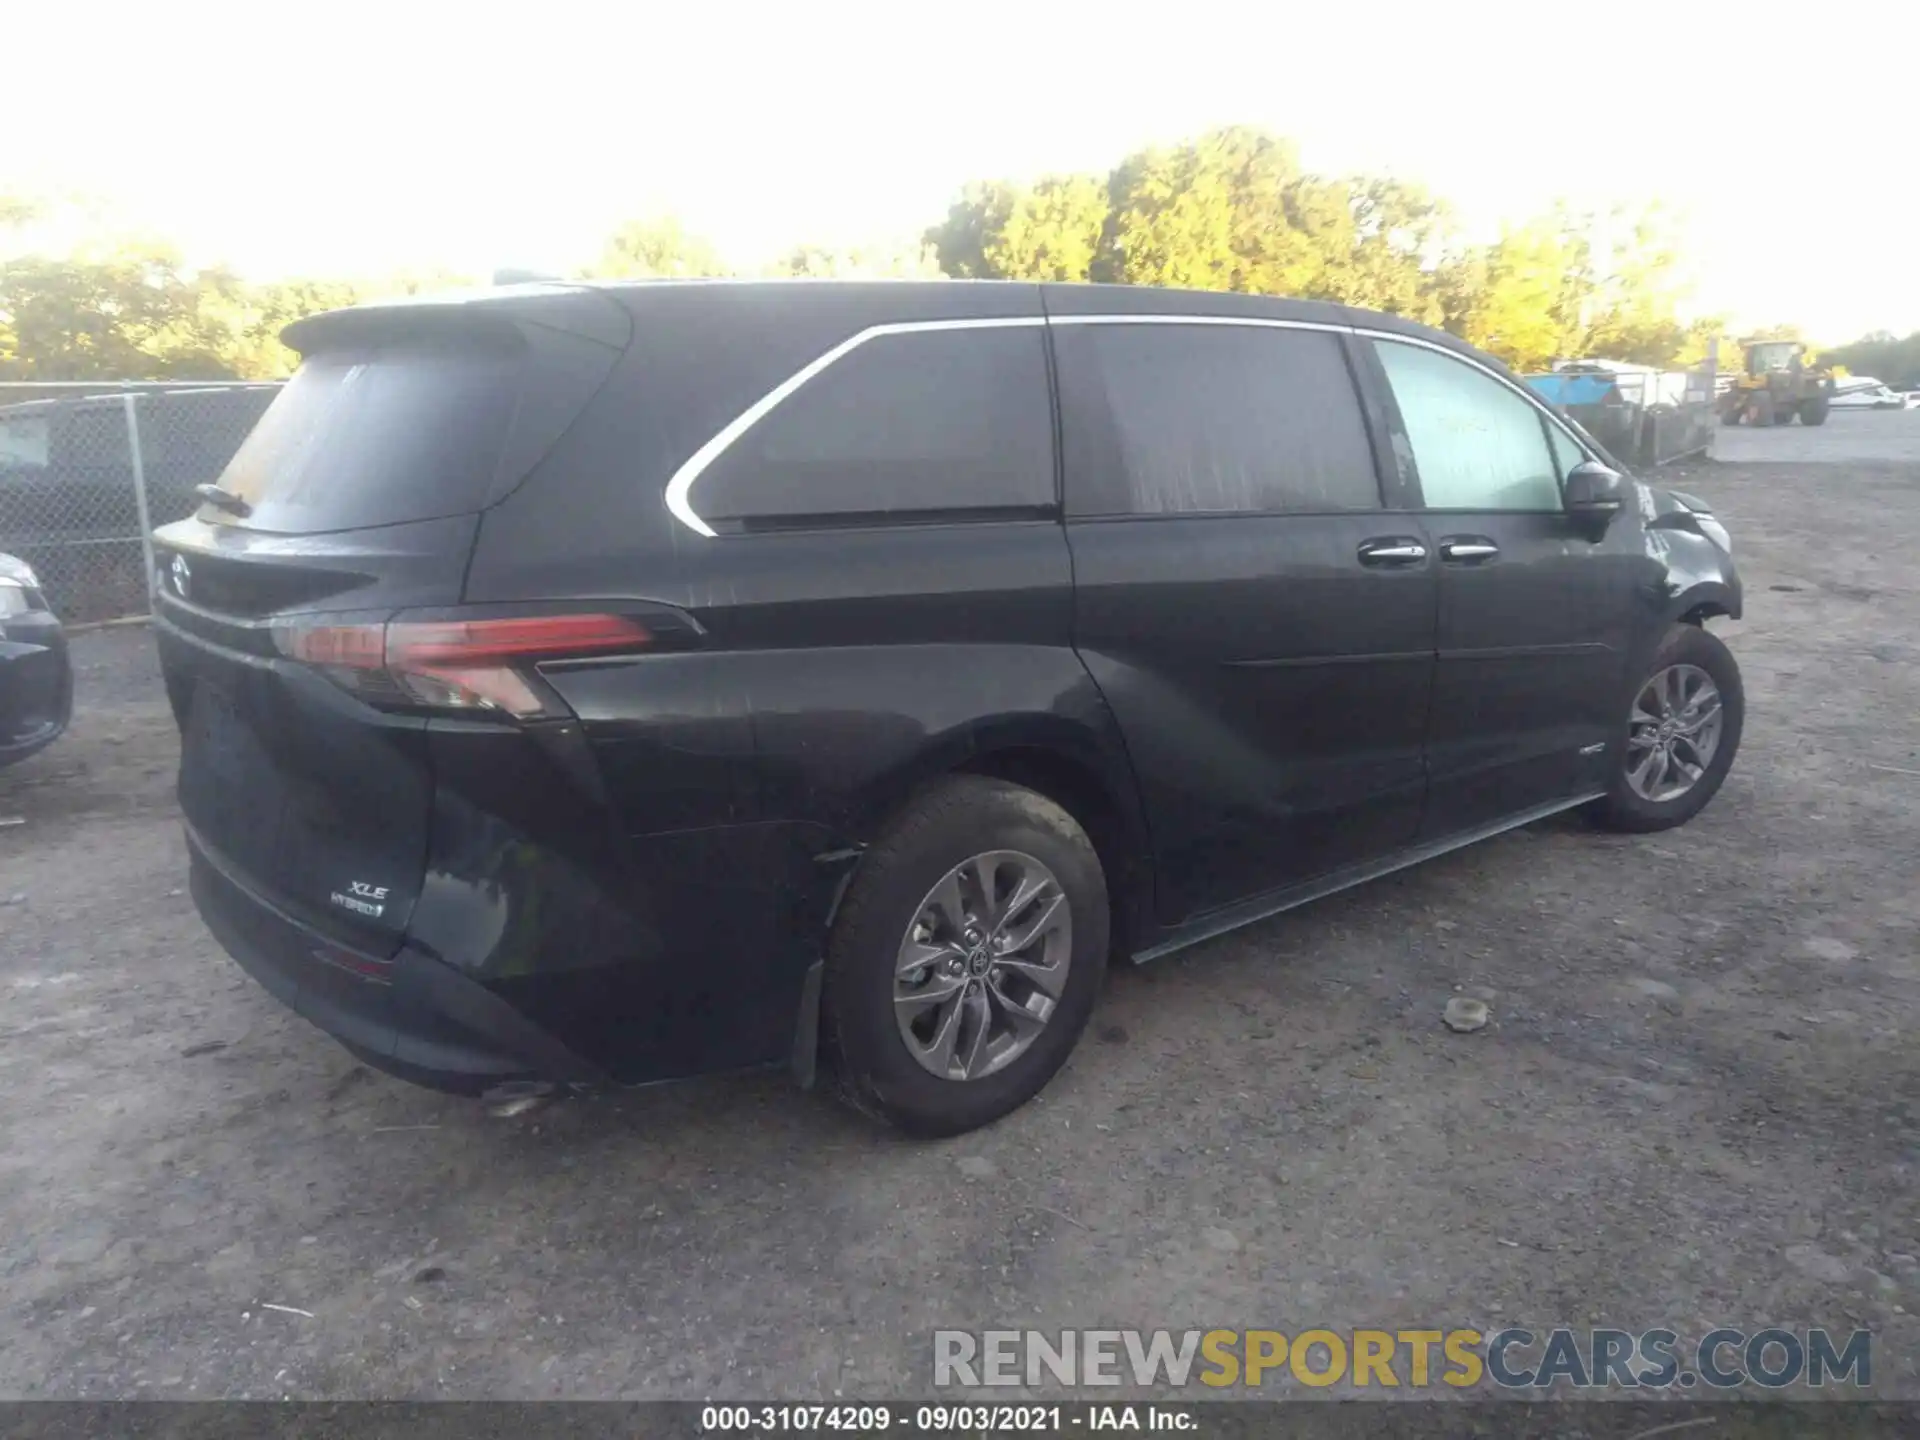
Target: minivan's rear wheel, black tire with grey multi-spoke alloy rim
{"points": [[967, 957]]}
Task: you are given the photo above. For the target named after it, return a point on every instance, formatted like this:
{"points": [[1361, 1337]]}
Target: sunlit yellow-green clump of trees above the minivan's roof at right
{"points": [[1234, 210]]}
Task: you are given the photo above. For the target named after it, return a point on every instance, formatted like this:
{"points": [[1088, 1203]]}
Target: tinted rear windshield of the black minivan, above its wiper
{"points": [[379, 437]]}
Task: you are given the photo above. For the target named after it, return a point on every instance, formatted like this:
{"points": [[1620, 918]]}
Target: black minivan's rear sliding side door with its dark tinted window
{"points": [[1259, 621]]}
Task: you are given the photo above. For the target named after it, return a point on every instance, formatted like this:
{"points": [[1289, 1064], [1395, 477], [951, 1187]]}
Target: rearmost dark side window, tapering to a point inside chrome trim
{"points": [[917, 423]]}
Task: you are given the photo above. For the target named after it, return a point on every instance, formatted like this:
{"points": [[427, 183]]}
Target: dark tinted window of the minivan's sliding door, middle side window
{"points": [[1195, 420]]}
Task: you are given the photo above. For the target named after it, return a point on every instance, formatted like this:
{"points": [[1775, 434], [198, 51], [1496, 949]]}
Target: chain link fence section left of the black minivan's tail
{"points": [[89, 471]]}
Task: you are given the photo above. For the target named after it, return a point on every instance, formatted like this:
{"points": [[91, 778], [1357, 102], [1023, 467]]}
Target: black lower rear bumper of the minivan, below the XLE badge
{"points": [[408, 1015]]}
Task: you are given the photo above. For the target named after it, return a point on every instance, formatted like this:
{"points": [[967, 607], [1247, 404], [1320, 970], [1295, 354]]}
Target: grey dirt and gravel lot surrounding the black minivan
{"points": [[1698, 1101]]}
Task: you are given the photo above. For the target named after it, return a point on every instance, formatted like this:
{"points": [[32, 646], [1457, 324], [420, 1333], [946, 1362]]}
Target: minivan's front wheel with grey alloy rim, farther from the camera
{"points": [[1683, 732]]}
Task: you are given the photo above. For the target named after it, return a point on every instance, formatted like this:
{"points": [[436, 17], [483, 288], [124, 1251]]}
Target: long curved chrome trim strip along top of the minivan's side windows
{"points": [[681, 487]]}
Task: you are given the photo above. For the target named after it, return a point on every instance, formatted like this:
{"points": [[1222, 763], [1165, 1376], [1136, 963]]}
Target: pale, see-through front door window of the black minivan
{"points": [[1477, 444]]}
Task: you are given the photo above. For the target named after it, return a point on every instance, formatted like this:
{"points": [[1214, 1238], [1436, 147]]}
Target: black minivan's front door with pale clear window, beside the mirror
{"points": [[1533, 612]]}
